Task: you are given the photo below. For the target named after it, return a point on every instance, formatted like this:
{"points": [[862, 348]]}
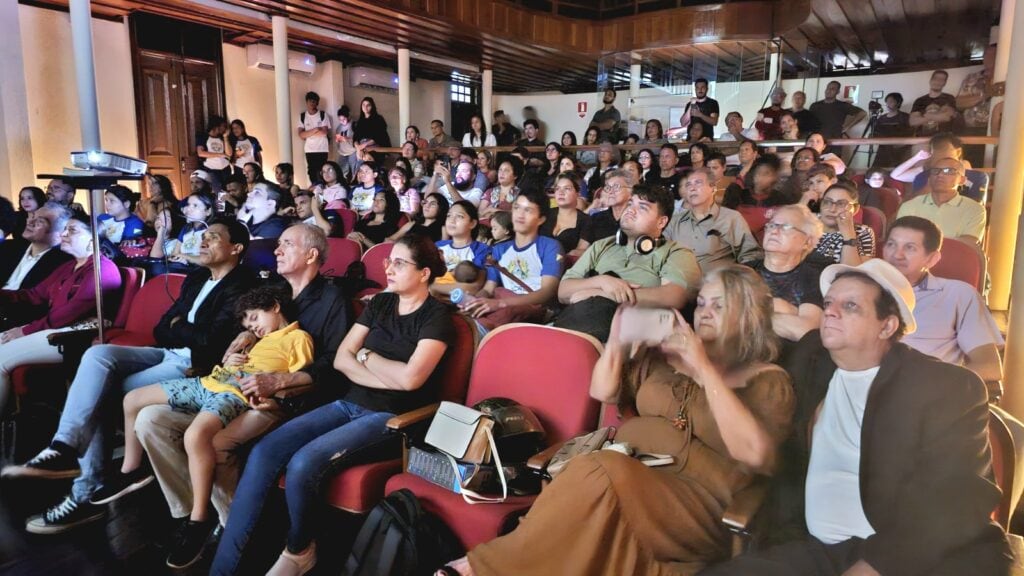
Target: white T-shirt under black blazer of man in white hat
{"points": [[833, 508]]}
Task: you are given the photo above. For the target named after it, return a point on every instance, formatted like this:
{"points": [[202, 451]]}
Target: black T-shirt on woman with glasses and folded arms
{"points": [[396, 338]]}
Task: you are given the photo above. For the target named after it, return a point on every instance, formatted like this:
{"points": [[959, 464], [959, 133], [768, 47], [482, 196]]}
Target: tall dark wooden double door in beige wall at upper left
{"points": [[179, 88]]}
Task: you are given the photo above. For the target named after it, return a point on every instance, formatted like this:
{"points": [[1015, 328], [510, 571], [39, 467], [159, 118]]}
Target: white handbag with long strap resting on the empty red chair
{"points": [[465, 435]]}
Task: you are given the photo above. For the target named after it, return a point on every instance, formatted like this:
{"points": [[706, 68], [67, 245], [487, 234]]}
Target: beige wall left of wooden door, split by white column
{"points": [[53, 101]]}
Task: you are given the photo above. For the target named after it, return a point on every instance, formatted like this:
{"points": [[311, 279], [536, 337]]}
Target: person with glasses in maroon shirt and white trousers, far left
{"points": [[57, 304]]}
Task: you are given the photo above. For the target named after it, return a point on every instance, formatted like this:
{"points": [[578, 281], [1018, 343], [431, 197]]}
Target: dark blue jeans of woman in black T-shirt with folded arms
{"points": [[308, 449]]}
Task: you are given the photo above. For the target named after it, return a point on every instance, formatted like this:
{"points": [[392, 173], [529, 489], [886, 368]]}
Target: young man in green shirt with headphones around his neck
{"points": [[637, 266]]}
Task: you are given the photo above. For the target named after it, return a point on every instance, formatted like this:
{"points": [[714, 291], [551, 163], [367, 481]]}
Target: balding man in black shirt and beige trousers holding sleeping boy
{"points": [[322, 311]]}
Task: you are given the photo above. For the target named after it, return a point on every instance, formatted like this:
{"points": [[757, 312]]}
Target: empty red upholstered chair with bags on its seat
{"points": [[547, 369]]}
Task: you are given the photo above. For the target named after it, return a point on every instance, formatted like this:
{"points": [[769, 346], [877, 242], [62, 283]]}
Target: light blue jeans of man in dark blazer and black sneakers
{"points": [[107, 373]]}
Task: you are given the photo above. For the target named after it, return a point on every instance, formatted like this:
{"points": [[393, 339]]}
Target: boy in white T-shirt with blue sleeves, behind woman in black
{"points": [[524, 272]]}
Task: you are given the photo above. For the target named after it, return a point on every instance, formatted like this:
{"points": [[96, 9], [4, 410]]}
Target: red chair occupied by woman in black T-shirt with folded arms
{"points": [[358, 489]]}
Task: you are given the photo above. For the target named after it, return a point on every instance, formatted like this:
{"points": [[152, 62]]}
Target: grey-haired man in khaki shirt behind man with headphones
{"points": [[715, 234]]}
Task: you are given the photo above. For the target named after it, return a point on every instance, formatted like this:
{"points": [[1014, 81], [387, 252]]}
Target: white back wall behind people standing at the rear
{"points": [[559, 112]]}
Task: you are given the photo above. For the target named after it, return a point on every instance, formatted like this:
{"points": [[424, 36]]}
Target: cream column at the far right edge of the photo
{"points": [[1006, 232]]}
